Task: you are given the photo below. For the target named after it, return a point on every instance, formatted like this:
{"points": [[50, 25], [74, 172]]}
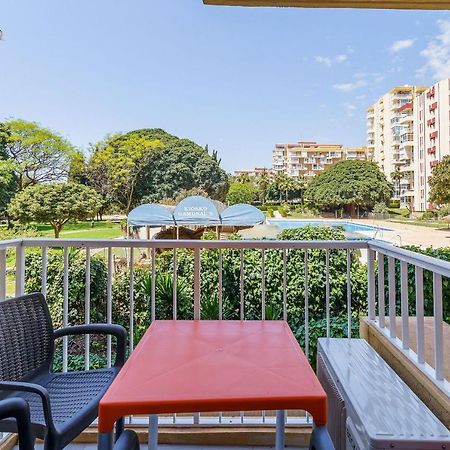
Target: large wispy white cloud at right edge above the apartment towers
{"points": [[437, 53]]}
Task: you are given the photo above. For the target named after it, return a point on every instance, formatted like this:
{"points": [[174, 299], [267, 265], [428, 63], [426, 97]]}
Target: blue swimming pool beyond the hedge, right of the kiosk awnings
{"points": [[349, 227]]}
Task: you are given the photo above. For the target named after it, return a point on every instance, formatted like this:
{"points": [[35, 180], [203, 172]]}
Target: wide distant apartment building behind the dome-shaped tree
{"points": [[308, 158]]}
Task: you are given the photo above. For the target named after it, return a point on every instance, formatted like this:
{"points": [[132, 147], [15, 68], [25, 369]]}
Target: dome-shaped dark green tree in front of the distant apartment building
{"points": [[349, 184]]}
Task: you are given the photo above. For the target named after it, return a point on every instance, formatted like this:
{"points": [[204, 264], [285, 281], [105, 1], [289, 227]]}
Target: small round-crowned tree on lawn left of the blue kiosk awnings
{"points": [[55, 203]]}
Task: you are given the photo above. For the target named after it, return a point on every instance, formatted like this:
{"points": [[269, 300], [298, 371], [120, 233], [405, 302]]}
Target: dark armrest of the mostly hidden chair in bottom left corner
{"points": [[18, 408]]}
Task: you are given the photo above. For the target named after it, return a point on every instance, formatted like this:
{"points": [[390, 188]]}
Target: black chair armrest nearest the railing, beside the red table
{"points": [[100, 328]]}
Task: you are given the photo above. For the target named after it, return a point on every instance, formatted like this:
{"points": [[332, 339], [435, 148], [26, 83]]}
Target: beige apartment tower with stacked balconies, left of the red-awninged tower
{"points": [[390, 136]]}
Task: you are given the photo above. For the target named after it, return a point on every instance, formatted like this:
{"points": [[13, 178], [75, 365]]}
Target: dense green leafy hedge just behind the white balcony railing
{"points": [[209, 281]]}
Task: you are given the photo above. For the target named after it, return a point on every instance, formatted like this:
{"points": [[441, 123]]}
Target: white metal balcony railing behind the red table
{"points": [[387, 297]]}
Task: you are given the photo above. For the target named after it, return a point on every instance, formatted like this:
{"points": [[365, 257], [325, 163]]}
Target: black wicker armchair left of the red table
{"points": [[61, 405]]}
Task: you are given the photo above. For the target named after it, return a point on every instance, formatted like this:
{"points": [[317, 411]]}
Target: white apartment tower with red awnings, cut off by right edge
{"points": [[431, 116]]}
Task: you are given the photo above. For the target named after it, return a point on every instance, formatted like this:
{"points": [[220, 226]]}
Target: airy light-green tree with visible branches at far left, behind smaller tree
{"points": [[40, 154]]}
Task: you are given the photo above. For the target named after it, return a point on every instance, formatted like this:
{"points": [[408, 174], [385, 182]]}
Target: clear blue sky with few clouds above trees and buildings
{"points": [[238, 79]]}
